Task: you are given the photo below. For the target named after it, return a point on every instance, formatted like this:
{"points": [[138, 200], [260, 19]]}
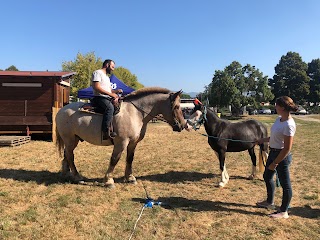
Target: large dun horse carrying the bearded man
{"points": [[130, 124]]}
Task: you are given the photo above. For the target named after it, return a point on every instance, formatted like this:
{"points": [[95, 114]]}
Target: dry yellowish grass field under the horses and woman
{"points": [[180, 169]]}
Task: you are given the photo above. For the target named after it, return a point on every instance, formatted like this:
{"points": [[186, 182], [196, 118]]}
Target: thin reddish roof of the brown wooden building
{"points": [[37, 73]]}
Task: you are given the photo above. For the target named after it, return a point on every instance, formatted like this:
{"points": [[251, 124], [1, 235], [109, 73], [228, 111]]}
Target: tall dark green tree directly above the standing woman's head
{"points": [[291, 78]]}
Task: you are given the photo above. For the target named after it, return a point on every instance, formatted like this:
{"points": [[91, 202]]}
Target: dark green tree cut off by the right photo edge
{"points": [[314, 75]]}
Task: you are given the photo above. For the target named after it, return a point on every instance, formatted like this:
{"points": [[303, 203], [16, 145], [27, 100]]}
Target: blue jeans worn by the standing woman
{"points": [[284, 178]]}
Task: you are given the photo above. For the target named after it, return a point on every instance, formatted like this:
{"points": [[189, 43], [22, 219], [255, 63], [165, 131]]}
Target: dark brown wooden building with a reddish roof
{"points": [[29, 100]]}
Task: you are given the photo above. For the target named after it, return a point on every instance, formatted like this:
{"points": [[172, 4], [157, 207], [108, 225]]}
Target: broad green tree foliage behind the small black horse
{"points": [[238, 86]]}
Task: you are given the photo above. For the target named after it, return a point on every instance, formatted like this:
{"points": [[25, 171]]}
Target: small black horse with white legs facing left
{"points": [[225, 136]]}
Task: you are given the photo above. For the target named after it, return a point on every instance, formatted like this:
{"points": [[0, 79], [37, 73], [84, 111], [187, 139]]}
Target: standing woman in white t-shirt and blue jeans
{"points": [[280, 143]]}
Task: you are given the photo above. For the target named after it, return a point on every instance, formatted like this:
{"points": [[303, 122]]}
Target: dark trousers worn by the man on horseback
{"points": [[105, 106]]}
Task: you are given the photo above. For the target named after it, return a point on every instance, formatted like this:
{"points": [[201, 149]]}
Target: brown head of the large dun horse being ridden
{"points": [[176, 120]]}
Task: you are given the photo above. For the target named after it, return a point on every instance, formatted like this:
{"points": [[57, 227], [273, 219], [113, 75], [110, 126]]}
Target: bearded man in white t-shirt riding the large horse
{"points": [[104, 97]]}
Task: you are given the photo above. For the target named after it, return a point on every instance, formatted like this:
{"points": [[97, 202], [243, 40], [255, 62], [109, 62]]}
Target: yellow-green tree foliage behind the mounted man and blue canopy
{"points": [[85, 65]]}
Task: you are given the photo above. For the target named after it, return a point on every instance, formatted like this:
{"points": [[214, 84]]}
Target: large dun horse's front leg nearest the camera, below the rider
{"points": [[116, 154]]}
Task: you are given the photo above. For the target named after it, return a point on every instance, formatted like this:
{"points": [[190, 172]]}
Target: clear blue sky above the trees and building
{"points": [[176, 44]]}
